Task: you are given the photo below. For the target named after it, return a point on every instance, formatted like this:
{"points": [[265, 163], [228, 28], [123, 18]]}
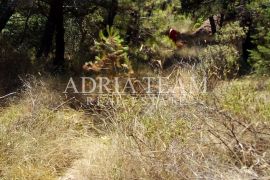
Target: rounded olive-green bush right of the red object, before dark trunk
{"points": [[223, 61]]}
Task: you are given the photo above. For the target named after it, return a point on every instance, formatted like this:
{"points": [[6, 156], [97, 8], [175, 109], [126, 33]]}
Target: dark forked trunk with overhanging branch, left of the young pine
{"points": [[55, 23]]}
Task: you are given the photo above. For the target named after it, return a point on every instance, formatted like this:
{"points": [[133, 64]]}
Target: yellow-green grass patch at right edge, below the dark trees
{"points": [[247, 97]]}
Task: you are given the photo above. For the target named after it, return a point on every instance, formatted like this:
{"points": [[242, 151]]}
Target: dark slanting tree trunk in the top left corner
{"points": [[7, 10]]}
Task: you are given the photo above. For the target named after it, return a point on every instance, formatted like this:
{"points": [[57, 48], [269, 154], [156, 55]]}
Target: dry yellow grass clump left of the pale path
{"points": [[37, 142]]}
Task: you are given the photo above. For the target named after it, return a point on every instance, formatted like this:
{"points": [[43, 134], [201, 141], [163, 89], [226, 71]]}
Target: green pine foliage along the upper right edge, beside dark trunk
{"points": [[260, 56]]}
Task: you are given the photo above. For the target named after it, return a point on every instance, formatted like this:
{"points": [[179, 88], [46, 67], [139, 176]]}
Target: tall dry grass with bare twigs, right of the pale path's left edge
{"points": [[156, 138]]}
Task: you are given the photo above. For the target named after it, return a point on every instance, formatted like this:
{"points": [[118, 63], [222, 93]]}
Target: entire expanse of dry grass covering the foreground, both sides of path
{"points": [[137, 138]]}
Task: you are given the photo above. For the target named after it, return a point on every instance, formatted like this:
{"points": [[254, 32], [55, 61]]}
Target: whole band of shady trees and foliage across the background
{"points": [[62, 34]]}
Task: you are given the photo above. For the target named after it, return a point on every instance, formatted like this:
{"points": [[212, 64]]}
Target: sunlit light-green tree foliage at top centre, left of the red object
{"points": [[146, 26]]}
